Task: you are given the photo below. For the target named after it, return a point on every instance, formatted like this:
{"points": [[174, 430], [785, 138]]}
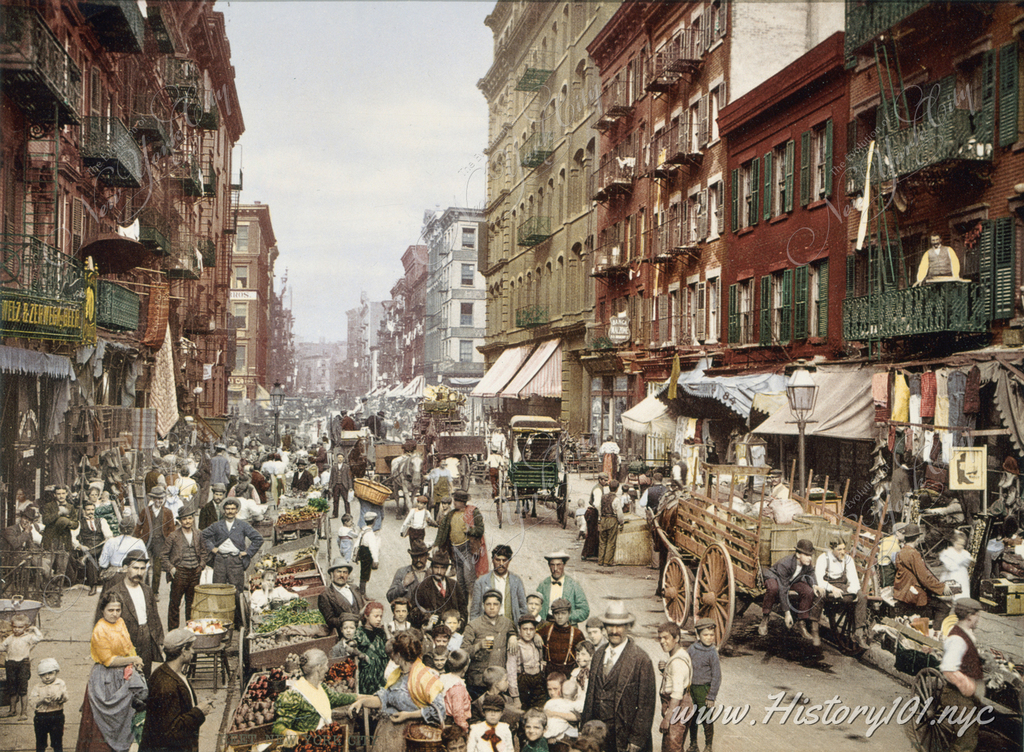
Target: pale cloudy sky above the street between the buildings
{"points": [[360, 116]]}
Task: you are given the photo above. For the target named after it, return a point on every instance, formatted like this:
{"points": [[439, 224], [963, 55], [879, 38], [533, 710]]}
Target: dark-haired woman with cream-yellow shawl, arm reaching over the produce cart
{"points": [[414, 695]]}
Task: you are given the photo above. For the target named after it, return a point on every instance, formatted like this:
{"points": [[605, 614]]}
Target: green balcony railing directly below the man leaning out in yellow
{"points": [[938, 309]]}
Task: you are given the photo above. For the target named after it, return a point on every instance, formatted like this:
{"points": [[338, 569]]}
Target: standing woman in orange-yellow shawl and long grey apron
{"points": [[116, 685]]}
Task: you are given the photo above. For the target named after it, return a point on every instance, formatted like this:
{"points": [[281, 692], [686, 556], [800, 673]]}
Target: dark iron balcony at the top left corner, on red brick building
{"points": [[38, 74]]}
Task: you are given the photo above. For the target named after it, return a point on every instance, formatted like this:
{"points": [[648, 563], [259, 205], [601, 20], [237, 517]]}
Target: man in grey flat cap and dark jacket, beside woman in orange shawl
{"points": [[174, 718]]}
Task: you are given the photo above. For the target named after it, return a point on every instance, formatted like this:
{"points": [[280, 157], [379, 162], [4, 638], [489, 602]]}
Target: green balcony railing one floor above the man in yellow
{"points": [[947, 137]]}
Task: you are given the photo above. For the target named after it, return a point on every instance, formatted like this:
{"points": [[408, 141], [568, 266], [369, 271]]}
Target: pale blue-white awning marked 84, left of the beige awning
{"points": [[721, 397]]}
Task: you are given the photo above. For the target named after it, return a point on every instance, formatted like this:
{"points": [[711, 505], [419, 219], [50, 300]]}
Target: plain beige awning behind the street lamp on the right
{"points": [[844, 408]]}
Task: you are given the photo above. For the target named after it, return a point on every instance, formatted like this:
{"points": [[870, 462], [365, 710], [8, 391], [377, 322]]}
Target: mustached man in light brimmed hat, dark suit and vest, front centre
{"points": [[622, 691]]}
